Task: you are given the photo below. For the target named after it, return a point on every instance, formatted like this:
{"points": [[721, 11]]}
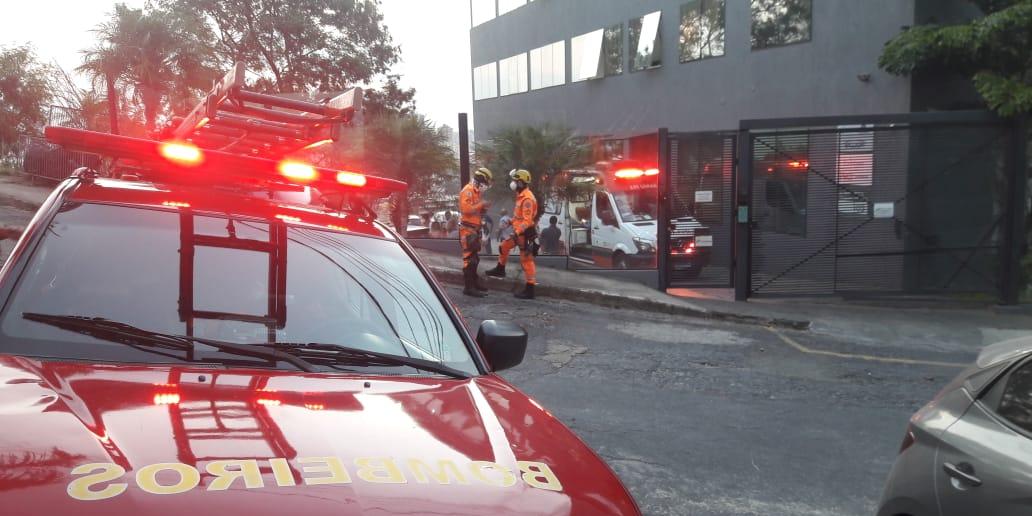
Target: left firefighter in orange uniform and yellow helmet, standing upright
{"points": [[472, 210]]}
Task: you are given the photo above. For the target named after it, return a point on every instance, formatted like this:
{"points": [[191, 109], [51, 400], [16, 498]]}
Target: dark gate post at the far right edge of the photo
{"points": [[1014, 234]]}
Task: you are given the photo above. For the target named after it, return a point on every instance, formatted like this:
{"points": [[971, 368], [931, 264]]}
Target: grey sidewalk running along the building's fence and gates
{"points": [[909, 327]]}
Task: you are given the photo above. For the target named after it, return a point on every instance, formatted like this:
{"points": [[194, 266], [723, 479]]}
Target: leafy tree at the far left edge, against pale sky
{"points": [[25, 92]]}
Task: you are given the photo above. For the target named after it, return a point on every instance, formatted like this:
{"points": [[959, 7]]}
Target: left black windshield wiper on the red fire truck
{"points": [[115, 332]]}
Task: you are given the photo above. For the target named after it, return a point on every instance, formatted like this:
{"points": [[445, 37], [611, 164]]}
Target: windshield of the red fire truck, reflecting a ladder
{"points": [[223, 279]]}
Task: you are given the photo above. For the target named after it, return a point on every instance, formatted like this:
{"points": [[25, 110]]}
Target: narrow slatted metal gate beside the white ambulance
{"points": [[701, 205]]}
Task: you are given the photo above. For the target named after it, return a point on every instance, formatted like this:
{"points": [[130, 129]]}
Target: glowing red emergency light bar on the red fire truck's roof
{"points": [[218, 167]]}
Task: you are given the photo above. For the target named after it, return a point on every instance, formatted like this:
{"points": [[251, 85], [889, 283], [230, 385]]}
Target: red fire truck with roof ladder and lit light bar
{"points": [[230, 330]]}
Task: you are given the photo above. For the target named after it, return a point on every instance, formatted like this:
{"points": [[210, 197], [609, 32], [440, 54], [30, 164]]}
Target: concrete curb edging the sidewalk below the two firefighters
{"points": [[612, 301]]}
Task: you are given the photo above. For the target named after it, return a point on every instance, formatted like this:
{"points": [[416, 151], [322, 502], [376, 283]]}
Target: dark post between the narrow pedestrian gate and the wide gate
{"points": [[744, 217]]}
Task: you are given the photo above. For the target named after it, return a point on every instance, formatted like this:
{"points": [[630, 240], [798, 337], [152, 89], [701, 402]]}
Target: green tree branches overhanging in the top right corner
{"points": [[995, 51]]}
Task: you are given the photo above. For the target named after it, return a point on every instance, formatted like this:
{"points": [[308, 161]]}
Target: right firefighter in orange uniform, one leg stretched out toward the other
{"points": [[525, 234]]}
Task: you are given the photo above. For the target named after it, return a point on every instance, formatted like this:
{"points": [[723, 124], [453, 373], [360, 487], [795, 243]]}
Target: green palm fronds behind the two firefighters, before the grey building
{"points": [[544, 151]]}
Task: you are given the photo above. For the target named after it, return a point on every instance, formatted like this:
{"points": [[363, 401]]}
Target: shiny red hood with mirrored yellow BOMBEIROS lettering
{"points": [[107, 439]]}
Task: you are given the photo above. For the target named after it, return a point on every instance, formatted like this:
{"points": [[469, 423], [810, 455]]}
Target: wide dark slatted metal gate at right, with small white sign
{"points": [[912, 205]]}
